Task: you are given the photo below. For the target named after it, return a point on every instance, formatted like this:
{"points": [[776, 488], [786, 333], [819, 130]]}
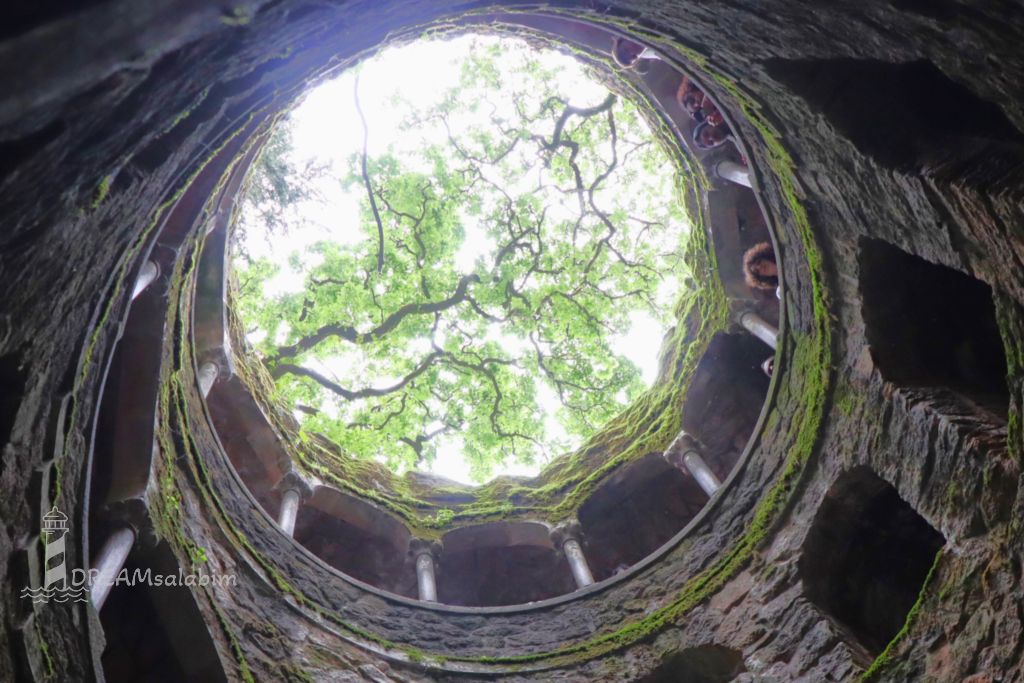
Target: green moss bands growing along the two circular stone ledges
{"points": [[647, 426]]}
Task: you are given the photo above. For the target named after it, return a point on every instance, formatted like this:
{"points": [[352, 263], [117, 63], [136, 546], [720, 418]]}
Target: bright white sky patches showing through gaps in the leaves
{"points": [[327, 130]]}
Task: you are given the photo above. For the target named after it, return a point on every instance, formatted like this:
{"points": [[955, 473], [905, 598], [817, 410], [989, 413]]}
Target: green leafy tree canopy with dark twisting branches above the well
{"points": [[478, 296]]}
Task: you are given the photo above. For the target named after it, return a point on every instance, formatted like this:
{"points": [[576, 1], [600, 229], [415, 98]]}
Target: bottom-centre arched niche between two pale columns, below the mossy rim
{"points": [[501, 564]]}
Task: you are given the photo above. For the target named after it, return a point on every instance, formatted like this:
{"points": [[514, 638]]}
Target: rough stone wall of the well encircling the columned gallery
{"points": [[112, 108]]}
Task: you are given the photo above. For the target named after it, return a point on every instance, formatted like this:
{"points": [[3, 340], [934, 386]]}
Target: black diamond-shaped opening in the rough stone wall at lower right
{"points": [[866, 558]]}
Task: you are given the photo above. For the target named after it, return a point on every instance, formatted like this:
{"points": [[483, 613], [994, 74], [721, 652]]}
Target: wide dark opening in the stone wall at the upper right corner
{"points": [[903, 115]]}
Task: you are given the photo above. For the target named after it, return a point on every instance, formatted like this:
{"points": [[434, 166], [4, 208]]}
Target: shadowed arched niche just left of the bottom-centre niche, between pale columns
{"points": [[358, 539]]}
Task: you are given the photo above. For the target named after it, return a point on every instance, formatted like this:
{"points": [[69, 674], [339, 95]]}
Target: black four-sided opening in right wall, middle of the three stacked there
{"points": [[929, 326]]}
